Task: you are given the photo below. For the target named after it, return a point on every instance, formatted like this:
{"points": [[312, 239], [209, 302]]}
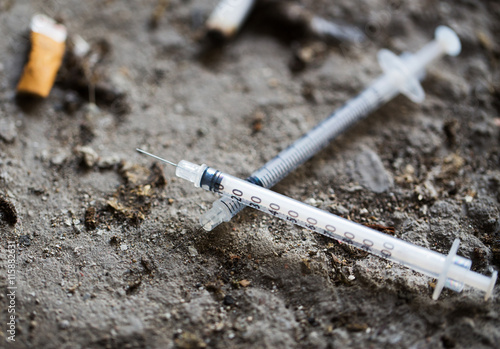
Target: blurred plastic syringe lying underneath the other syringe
{"points": [[401, 75]]}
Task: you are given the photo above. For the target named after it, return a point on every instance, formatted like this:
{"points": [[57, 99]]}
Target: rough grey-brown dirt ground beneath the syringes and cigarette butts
{"points": [[110, 253]]}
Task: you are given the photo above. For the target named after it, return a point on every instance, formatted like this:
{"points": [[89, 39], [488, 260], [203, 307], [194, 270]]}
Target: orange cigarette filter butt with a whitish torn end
{"points": [[47, 51]]}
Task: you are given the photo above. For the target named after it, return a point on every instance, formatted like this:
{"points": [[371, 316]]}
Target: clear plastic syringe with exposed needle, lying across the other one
{"points": [[452, 271]]}
